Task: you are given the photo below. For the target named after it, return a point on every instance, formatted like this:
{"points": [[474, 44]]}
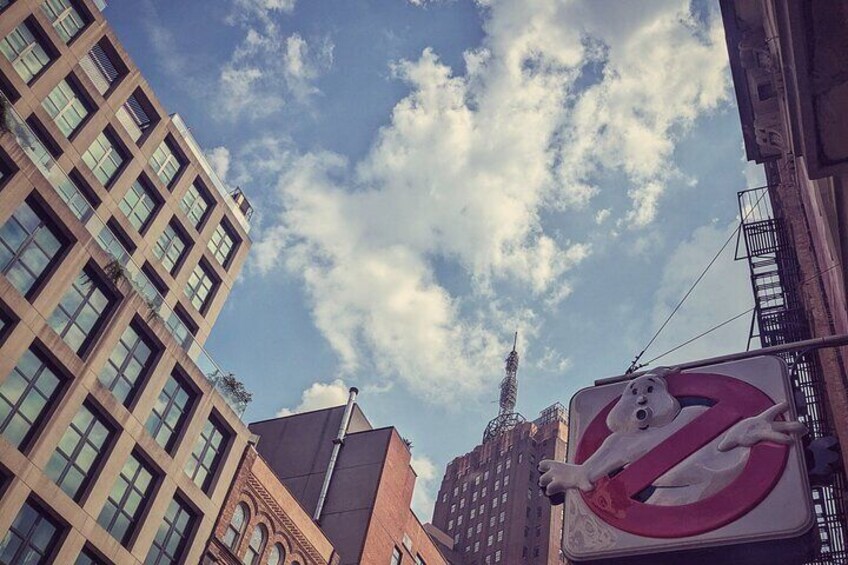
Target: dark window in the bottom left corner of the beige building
{"points": [[32, 537]]}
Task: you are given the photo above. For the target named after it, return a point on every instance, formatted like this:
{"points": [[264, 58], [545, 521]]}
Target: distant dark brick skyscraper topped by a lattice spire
{"points": [[489, 503]]}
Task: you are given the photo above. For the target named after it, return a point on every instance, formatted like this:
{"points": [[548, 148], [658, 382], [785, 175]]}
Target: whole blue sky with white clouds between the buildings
{"points": [[431, 175]]}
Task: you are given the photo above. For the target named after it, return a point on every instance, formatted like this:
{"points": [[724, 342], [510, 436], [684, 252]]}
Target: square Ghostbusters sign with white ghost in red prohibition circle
{"points": [[681, 460]]}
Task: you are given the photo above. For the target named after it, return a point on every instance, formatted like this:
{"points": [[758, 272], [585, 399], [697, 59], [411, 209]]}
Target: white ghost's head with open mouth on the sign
{"points": [[645, 403]]}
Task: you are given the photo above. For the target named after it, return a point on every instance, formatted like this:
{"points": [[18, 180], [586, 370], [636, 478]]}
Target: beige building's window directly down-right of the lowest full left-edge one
{"points": [[74, 462]]}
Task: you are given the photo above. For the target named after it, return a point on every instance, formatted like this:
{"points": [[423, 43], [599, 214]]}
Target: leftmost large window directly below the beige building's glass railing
{"points": [[28, 246]]}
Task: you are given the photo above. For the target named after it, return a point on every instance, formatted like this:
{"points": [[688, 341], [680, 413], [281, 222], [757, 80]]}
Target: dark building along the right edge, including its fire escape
{"points": [[789, 61]]}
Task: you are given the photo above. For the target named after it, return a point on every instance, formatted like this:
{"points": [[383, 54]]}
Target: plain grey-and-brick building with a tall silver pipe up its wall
{"points": [[355, 480]]}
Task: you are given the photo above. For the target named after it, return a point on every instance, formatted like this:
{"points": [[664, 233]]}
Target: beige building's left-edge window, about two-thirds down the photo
{"points": [[24, 397]]}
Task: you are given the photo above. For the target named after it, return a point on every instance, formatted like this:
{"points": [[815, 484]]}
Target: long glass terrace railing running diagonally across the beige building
{"points": [[111, 244]]}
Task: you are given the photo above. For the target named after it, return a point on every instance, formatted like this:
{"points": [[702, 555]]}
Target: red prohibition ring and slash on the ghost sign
{"points": [[611, 499]]}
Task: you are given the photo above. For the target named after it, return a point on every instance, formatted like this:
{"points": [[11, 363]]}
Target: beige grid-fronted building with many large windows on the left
{"points": [[119, 435]]}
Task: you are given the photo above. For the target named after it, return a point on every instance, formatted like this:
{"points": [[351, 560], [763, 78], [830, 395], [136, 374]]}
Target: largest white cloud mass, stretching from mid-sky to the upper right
{"points": [[557, 93]]}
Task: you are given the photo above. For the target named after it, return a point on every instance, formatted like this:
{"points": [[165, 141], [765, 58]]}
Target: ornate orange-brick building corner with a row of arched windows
{"points": [[261, 522]]}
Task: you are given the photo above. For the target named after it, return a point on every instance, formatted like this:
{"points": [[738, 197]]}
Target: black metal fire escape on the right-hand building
{"points": [[779, 318]]}
